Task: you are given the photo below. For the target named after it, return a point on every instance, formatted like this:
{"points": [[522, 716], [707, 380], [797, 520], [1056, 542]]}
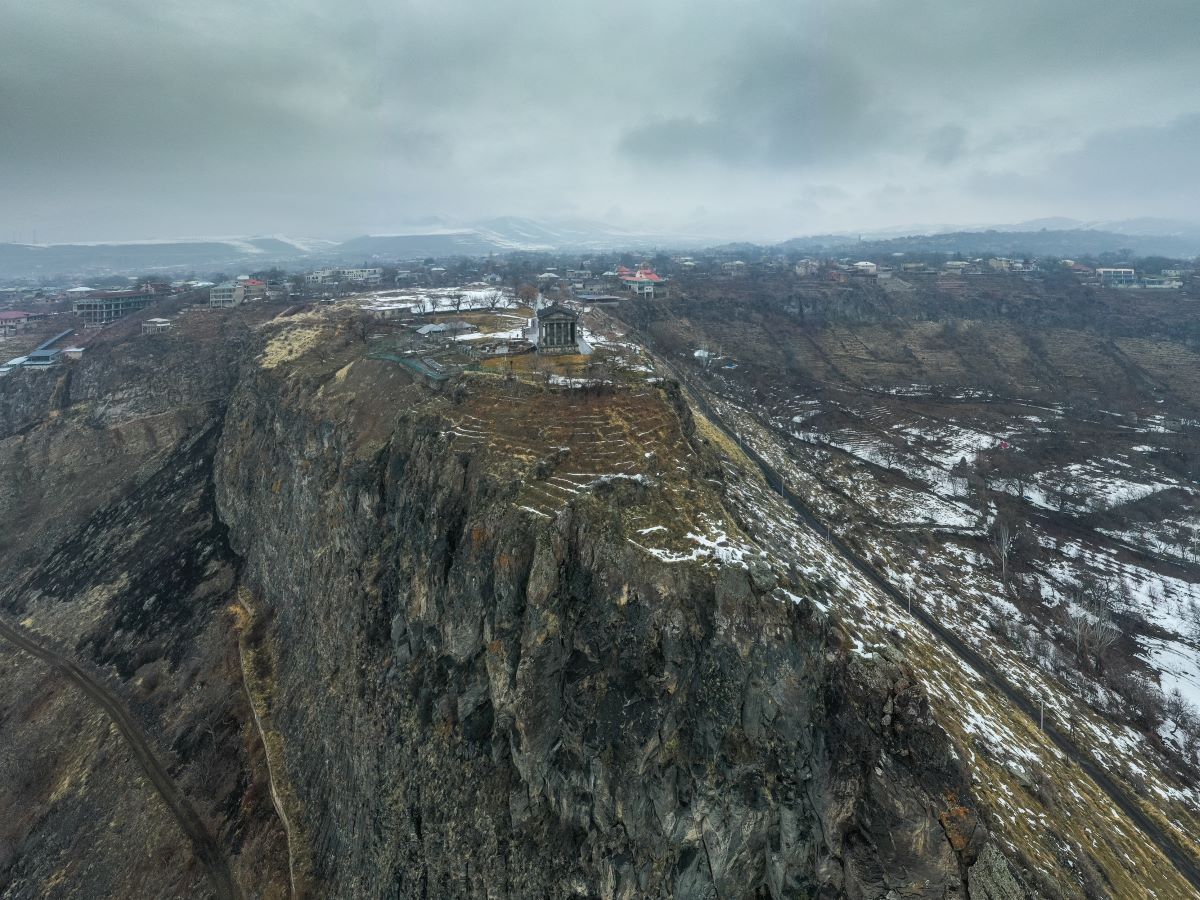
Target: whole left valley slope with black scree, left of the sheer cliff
{"points": [[113, 559]]}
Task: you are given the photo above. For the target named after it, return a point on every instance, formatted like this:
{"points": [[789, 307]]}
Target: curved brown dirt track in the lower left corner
{"points": [[206, 848]]}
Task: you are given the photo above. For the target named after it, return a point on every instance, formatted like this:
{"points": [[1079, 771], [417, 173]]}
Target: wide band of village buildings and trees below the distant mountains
{"points": [[49, 325]]}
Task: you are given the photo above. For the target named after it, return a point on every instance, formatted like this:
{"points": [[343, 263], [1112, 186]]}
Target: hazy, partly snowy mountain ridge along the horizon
{"points": [[508, 235]]}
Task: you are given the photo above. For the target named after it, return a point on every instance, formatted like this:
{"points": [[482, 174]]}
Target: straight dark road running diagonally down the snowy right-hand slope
{"points": [[1185, 863]]}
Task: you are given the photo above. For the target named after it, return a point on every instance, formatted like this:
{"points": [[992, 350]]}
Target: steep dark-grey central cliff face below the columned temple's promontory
{"points": [[477, 700]]}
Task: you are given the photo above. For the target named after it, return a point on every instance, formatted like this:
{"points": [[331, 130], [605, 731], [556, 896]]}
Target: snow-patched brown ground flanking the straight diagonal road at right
{"points": [[956, 577]]}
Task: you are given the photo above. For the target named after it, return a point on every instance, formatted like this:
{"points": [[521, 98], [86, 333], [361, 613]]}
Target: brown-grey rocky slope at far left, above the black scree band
{"points": [[76, 439]]}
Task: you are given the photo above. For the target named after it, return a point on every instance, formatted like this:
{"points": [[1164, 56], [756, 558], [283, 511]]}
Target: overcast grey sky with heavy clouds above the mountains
{"points": [[124, 119]]}
